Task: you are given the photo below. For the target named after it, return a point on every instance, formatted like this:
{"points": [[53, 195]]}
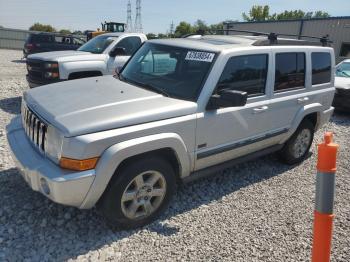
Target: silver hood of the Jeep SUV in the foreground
{"points": [[90, 105]]}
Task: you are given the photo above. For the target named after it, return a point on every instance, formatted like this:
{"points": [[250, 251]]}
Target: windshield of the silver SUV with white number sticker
{"points": [[172, 71]]}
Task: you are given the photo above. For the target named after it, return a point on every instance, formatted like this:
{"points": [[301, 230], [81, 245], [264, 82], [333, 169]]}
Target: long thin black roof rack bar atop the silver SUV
{"points": [[274, 36]]}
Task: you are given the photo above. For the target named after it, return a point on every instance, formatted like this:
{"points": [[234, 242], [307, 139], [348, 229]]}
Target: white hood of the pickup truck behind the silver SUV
{"points": [[67, 56]]}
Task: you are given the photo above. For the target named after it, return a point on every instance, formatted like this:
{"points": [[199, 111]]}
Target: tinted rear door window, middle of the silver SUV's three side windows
{"points": [[290, 71]]}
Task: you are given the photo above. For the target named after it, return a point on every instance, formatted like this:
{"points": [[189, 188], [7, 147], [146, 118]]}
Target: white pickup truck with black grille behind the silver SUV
{"points": [[100, 56]]}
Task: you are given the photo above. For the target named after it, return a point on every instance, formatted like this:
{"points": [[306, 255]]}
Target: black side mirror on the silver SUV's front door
{"points": [[228, 98]]}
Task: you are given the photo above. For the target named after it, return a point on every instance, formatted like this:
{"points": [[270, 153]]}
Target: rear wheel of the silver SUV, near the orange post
{"points": [[298, 146]]}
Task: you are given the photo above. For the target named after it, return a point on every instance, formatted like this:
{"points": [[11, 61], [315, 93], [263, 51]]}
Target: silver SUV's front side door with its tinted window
{"points": [[227, 133]]}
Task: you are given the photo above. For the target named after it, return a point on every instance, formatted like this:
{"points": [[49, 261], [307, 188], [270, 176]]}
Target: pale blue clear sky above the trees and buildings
{"points": [[157, 15]]}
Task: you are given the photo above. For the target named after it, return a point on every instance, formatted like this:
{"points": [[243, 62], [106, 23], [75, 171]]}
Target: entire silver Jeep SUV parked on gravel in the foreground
{"points": [[180, 109]]}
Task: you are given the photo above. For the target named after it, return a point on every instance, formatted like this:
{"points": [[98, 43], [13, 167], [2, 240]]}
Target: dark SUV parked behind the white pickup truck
{"points": [[46, 42]]}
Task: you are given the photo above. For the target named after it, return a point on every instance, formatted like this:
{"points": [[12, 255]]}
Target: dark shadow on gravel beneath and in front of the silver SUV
{"points": [[28, 215]]}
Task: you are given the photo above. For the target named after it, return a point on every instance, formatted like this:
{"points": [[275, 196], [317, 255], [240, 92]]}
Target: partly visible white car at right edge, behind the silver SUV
{"points": [[342, 85]]}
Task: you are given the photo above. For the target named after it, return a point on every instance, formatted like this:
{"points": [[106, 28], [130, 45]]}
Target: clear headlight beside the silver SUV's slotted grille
{"points": [[53, 144]]}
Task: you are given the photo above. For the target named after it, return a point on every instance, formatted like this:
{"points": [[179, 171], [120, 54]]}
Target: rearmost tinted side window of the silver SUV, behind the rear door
{"points": [[321, 68]]}
